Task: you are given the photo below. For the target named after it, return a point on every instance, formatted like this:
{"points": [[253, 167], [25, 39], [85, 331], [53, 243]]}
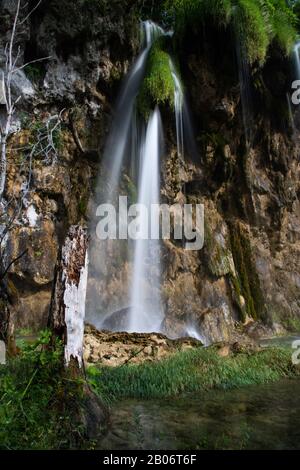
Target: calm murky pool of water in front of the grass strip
{"points": [[255, 417]]}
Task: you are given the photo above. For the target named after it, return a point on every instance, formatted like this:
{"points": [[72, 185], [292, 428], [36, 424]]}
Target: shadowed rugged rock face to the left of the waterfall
{"points": [[90, 46]]}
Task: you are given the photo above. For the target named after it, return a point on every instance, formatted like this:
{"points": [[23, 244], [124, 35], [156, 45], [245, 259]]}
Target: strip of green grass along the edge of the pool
{"points": [[196, 370]]}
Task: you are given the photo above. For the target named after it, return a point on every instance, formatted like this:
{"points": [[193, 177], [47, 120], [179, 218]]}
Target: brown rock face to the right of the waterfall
{"points": [[247, 272]]}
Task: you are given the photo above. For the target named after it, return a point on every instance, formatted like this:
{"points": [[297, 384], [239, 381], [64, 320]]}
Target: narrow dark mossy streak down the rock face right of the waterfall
{"points": [[249, 284]]}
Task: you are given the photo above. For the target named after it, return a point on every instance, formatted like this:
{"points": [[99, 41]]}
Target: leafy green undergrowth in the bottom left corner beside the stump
{"points": [[39, 399]]}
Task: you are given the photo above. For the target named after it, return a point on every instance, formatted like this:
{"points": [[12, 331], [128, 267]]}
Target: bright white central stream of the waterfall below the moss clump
{"points": [[146, 311]]}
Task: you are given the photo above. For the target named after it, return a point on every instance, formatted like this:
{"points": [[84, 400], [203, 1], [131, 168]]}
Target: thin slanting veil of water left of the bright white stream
{"points": [[123, 149]]}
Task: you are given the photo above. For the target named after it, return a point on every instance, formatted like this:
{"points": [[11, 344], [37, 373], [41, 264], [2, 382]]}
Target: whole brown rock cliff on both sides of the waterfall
{"points": [[246, 279]]}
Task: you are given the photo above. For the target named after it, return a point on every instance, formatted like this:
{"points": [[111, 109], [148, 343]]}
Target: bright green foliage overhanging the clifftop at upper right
{"points": [[257, 23]]}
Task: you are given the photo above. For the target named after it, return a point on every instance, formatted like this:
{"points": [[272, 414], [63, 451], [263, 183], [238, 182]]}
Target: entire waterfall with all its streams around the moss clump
{"points": [[125, 276]]}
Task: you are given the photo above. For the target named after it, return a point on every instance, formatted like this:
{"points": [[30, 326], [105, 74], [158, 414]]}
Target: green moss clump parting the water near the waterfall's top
{"points": [[158, 84]]}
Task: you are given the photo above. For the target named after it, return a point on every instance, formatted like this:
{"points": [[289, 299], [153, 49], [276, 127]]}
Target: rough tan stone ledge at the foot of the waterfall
{"points": [[115, 349]]}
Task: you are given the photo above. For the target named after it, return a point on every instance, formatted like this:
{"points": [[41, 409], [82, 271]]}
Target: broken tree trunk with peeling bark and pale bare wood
{"points": [[67, 310]]}
